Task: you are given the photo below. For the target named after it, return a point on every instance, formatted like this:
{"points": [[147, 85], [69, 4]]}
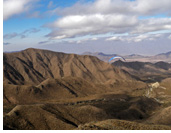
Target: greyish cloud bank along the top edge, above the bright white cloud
{"points": [[137, 7]]}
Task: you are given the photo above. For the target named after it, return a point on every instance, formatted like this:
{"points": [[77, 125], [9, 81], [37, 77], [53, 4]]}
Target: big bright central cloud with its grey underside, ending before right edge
{"points": [[79, 25]]}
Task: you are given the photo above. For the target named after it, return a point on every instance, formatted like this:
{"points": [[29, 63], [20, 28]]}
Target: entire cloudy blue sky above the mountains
{"points": [[78, 26]]}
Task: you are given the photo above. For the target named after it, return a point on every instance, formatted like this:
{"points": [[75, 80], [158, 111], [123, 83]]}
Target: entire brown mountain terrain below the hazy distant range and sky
{"points": [[52, 90]]}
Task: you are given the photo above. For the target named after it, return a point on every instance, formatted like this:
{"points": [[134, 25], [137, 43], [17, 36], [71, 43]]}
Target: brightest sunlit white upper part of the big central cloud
{"points": [[113, 20]]}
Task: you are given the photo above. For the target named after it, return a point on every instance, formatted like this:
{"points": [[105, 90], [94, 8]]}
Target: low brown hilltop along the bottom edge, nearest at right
{"points": [[114, 124]]}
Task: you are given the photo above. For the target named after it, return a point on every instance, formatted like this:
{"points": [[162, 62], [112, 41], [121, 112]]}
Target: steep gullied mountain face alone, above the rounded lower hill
{"points": [[33, 66]]}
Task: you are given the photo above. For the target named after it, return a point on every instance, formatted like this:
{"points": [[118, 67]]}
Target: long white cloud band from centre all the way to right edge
{"points": [[80, 25]]}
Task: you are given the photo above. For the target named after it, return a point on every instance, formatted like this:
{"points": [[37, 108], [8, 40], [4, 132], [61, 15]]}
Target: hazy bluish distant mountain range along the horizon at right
{"points": [[166, 57]]}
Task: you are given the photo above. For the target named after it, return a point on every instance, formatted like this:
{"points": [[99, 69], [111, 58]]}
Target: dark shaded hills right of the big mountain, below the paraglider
{"points": [[146, 71]]}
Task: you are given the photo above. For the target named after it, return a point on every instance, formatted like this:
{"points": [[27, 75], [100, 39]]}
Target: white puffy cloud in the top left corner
{"points": [[14, 7]]}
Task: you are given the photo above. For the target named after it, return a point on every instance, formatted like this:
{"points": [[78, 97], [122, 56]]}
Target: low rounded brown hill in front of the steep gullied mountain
{"points": [[50, 90]]}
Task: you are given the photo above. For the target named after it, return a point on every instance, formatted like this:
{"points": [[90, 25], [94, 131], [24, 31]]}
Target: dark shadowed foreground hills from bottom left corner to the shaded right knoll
{"points": [[70, 116]]}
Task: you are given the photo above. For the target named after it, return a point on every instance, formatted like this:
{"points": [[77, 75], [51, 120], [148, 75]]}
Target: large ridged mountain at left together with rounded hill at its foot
{"points": [[36, 76]]}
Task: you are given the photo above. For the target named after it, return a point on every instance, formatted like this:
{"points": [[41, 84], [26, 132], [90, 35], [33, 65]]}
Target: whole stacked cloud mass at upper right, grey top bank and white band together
{"points": [[111, 16]]}
